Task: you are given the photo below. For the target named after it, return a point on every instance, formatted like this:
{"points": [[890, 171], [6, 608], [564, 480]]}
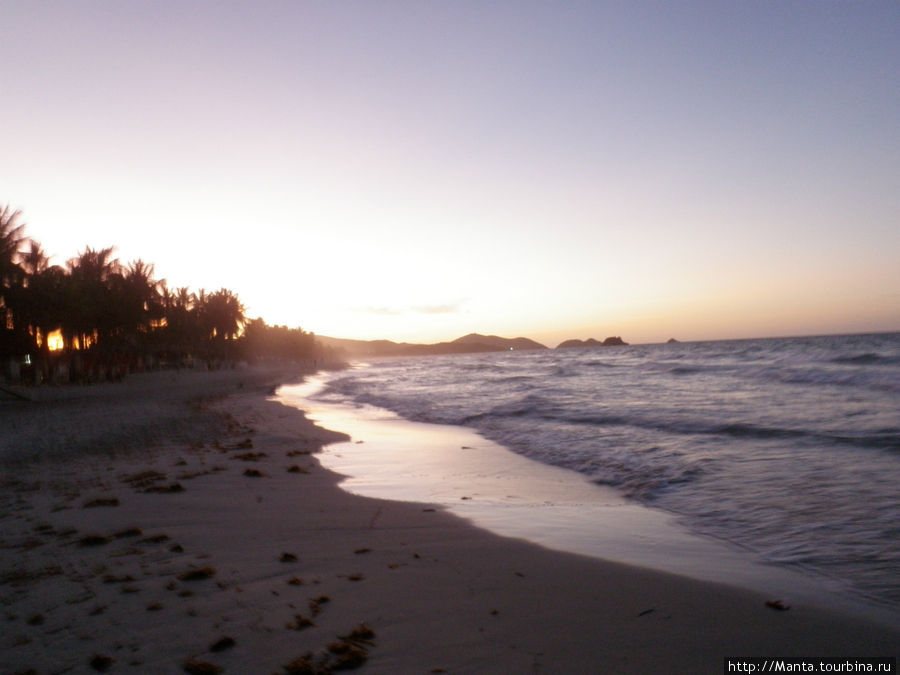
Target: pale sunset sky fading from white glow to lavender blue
{"points": [[417, 171]]}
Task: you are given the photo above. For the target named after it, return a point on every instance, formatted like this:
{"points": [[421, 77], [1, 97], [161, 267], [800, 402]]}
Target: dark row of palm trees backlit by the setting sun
{"points": [[98, 318]]}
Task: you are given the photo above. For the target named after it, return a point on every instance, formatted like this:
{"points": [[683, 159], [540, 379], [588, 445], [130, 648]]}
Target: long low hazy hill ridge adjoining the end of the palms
{"points": [[467, 344]]}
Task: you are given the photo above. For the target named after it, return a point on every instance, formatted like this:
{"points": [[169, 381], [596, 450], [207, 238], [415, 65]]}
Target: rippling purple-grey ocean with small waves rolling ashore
{"points": [[787, 449]]}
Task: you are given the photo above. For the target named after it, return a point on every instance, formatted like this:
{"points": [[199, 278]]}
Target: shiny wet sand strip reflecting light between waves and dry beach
{"points": [[492, 487]]}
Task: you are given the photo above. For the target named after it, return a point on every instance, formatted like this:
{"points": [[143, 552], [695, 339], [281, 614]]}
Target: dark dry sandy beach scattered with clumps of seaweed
{"points": [[182, 523]]}
